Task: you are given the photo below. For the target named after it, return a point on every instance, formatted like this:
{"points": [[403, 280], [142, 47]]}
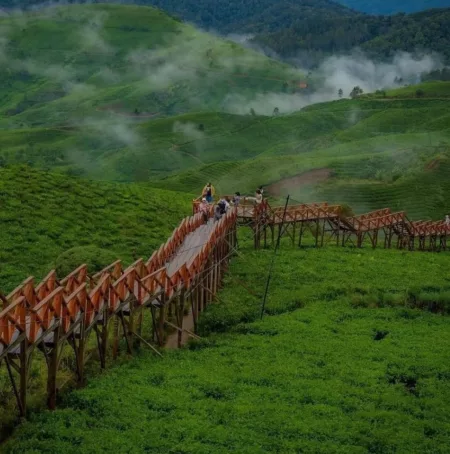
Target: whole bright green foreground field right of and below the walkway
{"points": [[356, 368]]}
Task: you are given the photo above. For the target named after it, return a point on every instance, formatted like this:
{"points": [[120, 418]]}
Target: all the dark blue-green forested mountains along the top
{"points": [[315, 28]]}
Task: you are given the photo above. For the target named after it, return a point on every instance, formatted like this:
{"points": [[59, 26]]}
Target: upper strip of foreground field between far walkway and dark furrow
{"points": [[363, 277]]}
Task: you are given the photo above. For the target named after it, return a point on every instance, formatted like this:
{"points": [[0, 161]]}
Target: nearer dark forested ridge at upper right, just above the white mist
{"points": [[379, 36]]}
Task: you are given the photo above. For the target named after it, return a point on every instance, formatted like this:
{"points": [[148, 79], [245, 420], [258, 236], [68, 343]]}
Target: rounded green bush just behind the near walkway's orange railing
{"points": [[95, 258]]}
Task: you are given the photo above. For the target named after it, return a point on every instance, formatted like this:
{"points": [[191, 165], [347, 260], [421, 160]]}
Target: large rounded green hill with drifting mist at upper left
{"points": [[72, 65]]}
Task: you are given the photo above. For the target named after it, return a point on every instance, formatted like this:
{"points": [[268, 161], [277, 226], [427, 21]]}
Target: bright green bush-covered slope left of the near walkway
{"points": [[45, 215]]}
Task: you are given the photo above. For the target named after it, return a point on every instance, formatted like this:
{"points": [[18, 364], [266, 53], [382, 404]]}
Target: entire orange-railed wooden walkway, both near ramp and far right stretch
{"points": [[184, 274]]}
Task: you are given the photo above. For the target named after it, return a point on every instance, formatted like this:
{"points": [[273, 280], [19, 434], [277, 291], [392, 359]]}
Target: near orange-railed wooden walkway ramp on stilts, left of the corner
{"points": [[183, 275]]}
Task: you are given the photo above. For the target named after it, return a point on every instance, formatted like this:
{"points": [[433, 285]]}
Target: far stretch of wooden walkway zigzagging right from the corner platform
{"points": [[329, 222]]}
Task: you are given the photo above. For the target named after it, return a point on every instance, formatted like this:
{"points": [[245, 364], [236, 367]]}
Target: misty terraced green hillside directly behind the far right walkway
{"points": [[379, 152]]}
